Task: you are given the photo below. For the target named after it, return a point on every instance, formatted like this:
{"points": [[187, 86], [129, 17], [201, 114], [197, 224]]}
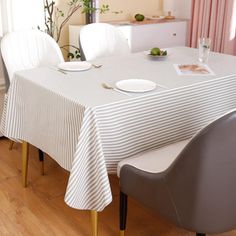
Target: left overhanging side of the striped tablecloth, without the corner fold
{"points": [[27, 113]]}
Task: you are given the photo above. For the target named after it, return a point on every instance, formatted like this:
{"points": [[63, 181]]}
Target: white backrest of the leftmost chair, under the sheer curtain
{"points": [[29, 49]]}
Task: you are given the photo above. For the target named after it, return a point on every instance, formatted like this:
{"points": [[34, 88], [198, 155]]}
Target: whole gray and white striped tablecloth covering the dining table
{"points": [[88, 129]]}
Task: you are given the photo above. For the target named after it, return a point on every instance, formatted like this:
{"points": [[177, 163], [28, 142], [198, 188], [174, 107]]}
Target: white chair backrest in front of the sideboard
{"points": [[101, 40]]}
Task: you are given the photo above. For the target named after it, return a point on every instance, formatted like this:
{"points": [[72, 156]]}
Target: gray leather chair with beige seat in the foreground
{"points": [[190, 183]]}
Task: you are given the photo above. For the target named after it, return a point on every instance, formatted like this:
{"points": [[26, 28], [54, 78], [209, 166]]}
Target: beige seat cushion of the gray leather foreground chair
{"points": [[154, 161]]}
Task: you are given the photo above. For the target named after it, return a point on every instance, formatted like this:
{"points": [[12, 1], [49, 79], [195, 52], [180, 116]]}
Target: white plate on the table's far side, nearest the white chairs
{"points": [[75, 66]]}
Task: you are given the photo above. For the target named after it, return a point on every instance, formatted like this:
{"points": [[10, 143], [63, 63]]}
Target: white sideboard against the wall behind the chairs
{"points": [[146, 35]]}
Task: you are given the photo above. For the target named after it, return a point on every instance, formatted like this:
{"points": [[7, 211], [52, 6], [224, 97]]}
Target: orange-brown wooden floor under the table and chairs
{"points": [[39, 209]]}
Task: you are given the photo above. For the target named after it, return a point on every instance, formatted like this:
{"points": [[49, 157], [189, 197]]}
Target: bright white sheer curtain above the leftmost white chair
{"points": [[21, 14]]}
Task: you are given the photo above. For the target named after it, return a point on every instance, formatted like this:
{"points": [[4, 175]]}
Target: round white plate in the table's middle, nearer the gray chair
{"points": [[136, 85]]}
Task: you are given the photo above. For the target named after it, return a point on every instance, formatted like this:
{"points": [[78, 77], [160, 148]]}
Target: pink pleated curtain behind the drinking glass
{"points": [[215, 19]]}
